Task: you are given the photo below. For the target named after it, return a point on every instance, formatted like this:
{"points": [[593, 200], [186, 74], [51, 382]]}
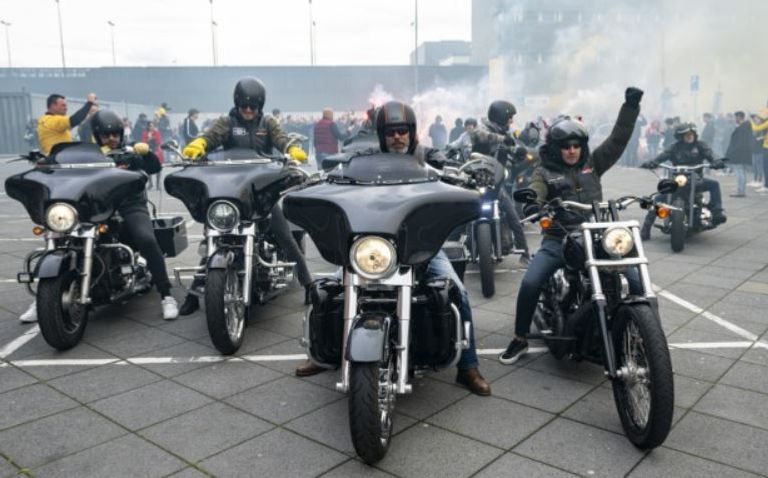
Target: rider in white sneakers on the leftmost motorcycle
{"points": [[108, 130]]}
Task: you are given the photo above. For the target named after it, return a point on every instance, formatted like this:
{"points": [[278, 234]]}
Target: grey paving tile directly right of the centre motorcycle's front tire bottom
{"points": [[424, 450]]}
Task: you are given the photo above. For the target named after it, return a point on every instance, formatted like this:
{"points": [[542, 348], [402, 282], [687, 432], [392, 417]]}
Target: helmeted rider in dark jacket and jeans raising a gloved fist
{"points": [[567, 171]]}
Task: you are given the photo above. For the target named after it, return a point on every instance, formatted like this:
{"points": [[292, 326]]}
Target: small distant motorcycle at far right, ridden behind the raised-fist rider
{"points": [[689, 213]]}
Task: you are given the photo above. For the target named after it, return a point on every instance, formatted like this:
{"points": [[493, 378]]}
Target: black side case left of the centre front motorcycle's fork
{"points": [[325, 327]]}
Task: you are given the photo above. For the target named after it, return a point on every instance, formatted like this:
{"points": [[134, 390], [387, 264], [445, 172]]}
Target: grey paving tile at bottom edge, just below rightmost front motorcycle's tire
{"points": [[663, 462]]}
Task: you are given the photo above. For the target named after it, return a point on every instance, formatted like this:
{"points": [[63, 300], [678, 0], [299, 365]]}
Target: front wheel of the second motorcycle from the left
{"points": [[224, 309]]}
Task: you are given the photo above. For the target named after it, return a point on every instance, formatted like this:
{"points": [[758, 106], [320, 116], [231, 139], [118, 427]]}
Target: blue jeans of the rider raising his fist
{"points": [[547, 260]]}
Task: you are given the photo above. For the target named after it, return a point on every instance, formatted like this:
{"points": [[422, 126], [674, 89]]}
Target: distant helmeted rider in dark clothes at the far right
{"points": [[689, 151]]}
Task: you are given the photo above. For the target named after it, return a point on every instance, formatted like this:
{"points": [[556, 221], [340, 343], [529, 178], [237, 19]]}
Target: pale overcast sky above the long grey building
{"points": [[249, 32]]}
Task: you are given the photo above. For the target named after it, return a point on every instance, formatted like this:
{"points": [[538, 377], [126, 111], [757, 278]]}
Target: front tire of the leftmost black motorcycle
{"points": [[61, 319]]}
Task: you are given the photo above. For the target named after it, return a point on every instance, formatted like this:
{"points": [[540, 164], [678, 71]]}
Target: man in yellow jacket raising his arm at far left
{"points": [[54, 126]]}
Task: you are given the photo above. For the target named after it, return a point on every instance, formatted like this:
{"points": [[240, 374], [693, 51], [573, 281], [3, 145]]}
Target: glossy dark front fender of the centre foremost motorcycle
{"points": [[369, 338]]}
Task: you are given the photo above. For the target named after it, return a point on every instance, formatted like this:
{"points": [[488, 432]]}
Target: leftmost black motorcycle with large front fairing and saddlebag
{"points": [[73, 196]]}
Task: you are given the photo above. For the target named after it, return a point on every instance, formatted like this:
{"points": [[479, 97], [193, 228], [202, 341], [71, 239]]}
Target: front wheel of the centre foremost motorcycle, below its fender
{"points": [[371, 408]]}
